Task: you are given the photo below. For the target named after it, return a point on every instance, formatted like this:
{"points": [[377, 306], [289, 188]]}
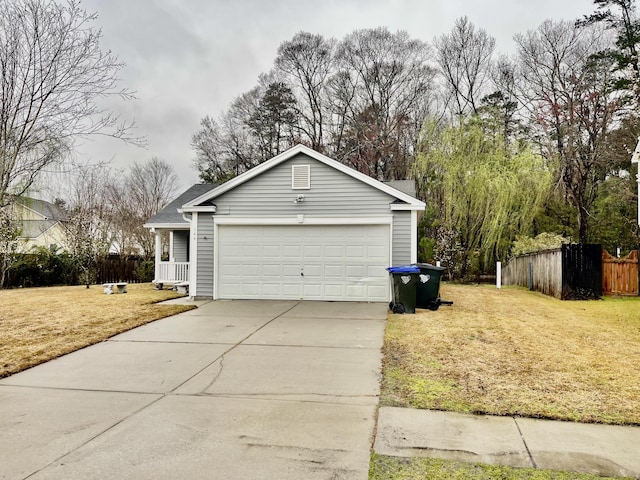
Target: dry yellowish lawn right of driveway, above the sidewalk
{"points": [[515, 352]]}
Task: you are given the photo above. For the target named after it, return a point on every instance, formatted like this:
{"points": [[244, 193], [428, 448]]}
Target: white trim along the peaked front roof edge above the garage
{"points": [[411, 202]]}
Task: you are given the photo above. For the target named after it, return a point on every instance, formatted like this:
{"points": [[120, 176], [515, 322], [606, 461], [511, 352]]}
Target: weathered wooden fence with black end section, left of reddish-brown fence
{"points": [[569, 272]]}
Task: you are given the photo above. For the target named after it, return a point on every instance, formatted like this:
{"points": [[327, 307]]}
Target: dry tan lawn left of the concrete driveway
{"points": [[38, 324]]}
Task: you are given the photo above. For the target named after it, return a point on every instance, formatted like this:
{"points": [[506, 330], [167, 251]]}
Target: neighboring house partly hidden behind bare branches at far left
{"points": [[41, 223]]}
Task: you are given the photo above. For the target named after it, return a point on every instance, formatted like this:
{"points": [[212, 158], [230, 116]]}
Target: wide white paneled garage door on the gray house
{"points": [[310, 262]]}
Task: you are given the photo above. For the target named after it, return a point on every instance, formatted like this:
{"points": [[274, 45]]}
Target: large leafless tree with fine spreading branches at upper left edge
{"points": [[52, 72]]}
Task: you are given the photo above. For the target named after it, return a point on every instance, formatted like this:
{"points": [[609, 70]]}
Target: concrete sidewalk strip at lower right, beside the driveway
{"points": [[510, 441]]}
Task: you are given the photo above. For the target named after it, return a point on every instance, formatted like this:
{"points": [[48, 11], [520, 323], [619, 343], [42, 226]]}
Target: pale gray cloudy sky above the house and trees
{"points": [[190, 58]]}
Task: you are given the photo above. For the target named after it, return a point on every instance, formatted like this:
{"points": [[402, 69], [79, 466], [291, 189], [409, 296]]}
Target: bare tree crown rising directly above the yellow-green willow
{"points": [[464, 58]]}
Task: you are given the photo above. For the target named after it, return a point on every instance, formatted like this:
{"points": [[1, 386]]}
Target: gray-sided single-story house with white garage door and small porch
{"points": [[298, 226]]}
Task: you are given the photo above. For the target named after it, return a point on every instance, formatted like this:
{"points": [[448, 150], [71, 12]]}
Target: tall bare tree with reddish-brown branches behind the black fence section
{"points": [[572, 106]]}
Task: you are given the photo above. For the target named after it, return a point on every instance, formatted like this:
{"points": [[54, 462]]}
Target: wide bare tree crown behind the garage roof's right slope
{"points": [[391, 80]]}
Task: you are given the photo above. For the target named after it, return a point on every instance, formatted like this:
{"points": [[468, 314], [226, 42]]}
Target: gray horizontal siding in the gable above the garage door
{"points": [[332, 194]]}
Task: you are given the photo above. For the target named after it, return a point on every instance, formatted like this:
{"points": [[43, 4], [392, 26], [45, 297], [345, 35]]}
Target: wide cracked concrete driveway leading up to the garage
{"points": [[231, 390]]}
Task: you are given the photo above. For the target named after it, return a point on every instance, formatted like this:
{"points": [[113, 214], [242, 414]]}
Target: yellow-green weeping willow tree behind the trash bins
{"points": [[482, 192]]}
